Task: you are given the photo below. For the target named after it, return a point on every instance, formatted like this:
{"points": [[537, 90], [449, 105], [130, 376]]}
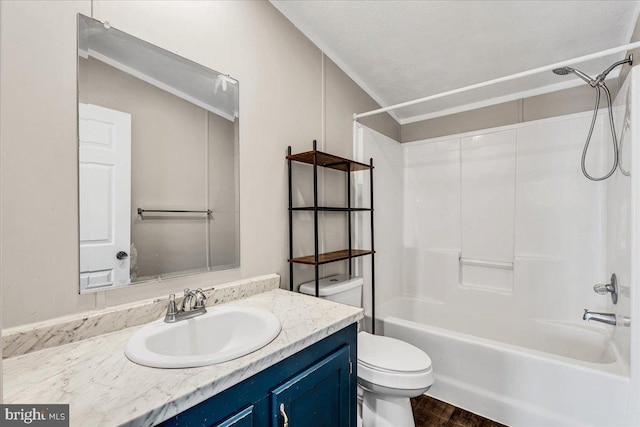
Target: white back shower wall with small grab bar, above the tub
{"points": [[503, 222]]}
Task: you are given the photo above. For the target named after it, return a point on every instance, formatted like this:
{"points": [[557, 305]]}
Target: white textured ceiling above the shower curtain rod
{"points": [[402, 50]]}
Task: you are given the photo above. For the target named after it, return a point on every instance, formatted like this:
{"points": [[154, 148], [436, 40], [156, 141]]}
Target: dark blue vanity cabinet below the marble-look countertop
{"points": [[316, 388]]}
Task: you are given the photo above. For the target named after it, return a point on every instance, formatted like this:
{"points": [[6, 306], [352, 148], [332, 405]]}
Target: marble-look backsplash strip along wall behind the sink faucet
{"points": [[64, 330]]}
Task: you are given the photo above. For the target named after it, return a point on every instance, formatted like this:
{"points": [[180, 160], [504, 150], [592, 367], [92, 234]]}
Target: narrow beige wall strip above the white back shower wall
{"points": [[574, 100]]}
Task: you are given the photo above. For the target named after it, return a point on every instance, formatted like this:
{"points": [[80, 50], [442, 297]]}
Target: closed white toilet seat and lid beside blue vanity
{"points": [[392, 363]]}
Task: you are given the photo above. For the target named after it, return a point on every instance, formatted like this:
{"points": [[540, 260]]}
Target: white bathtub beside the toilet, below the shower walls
{"points": [[519, 373]]}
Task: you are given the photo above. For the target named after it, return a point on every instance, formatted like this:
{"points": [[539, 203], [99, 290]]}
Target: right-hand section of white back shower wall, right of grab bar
{"points": [[560, 218]]}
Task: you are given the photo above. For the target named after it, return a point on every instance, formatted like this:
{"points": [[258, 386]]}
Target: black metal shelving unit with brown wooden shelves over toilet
{"points": [[319, 159]]}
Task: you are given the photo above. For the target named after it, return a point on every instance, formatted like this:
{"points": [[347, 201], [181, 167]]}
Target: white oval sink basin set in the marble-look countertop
{"points": [[222, 334]]}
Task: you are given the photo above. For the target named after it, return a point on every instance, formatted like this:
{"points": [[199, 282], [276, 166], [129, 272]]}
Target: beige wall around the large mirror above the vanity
{"points": [[281, 103]]}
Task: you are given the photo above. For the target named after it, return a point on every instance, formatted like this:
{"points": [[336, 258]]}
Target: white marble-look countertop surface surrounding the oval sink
{"points": [[104, 388]]}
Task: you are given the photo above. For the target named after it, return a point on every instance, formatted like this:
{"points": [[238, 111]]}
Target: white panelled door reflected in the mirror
{"points": [[105, 195]]}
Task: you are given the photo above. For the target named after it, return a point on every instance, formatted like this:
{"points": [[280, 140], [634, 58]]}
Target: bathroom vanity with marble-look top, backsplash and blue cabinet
{"points": [[306, 367]]}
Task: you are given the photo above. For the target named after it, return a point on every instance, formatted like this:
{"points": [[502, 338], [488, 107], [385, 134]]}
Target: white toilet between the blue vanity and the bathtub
{"points": [[390, 371]]}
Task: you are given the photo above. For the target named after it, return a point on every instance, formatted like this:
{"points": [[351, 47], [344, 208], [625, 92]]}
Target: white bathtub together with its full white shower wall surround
{"points": [[503, 239]]}
